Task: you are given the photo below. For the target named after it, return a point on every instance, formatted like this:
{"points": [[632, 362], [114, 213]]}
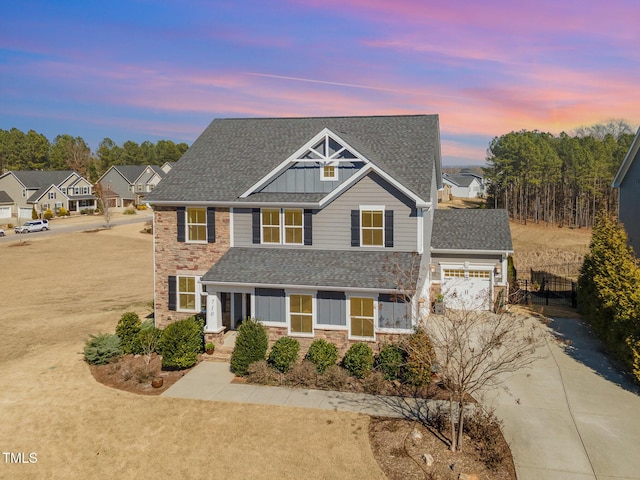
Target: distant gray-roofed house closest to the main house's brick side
{"points": [[127, 185]]}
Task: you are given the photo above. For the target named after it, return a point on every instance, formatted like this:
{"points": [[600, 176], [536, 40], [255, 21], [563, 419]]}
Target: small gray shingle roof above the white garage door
{"points": [[471, 229]]}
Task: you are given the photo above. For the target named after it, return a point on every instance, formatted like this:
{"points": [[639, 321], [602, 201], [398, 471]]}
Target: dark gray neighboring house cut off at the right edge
{"points": [[627, 181]]}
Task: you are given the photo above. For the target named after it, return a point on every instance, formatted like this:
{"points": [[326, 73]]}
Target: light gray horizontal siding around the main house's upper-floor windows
{"points": [[332, 225]]}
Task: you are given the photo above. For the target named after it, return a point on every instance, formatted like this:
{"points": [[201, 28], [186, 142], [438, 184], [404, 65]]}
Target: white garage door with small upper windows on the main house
{"points": [[467, 289]]}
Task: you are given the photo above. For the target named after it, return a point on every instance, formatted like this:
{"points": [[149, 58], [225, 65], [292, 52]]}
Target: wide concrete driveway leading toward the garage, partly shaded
{"points": [[573, 415]]}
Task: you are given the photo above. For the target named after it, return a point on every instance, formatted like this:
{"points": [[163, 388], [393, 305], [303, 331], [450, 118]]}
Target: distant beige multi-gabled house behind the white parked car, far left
{"points": [[47, 189]]}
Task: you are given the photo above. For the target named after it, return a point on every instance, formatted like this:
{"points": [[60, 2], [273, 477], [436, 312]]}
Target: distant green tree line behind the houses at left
{"points": [[33, 151]]}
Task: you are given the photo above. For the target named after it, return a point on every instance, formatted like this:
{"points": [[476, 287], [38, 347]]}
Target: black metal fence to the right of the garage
{"points": [[545, 289]]}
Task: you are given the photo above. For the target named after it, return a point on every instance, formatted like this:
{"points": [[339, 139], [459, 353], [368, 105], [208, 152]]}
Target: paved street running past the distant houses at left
{"points": [[78, 224]]}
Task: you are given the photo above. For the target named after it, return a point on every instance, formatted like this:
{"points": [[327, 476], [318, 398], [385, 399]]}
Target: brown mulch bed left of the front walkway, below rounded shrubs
{"points": [[131, 373]]}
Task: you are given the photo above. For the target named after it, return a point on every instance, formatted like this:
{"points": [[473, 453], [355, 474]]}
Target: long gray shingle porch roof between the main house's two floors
{"points": [[307, 267]]}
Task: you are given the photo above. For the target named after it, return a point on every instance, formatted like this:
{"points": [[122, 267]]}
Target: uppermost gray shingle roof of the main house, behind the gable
{"points": [[231, 155]]}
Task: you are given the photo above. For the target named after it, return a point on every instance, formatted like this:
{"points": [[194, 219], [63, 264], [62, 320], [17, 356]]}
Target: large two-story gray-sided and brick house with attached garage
{"points": [[319, 227]]}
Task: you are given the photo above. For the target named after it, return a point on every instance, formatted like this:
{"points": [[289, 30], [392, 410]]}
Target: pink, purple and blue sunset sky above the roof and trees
{"points": [[163, 69]]}
